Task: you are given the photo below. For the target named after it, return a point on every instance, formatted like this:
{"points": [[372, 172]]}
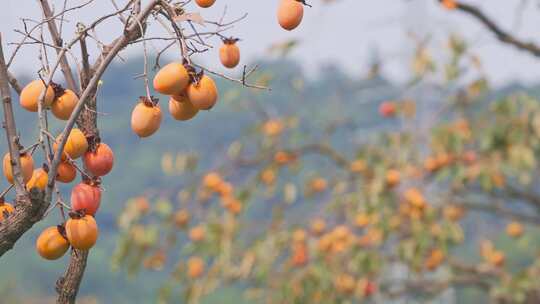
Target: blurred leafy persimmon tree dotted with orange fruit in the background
{"points": [[395, 217]]}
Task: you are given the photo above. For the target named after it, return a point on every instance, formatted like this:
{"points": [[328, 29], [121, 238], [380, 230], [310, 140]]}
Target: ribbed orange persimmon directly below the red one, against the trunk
{"points": [[82, 232]]}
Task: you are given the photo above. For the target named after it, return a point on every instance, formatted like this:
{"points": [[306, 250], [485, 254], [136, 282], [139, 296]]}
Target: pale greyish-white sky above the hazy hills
{"points": [[345, 32]]}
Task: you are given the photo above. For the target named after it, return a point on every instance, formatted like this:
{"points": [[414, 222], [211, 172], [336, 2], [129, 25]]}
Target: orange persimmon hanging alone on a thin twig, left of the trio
{"points": [[146, 118]]}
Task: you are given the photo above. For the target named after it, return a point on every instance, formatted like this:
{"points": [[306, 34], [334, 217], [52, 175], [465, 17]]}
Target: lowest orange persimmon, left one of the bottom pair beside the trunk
{"points": [[51, 243]]}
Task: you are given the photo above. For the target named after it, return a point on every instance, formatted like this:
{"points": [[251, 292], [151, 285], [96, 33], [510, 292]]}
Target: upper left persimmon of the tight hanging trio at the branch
{"points": [[171, 79]]}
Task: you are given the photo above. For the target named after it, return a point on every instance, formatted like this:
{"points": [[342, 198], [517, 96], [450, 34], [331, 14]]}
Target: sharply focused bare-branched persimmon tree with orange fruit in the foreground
{"points": [[64, 51]]}
